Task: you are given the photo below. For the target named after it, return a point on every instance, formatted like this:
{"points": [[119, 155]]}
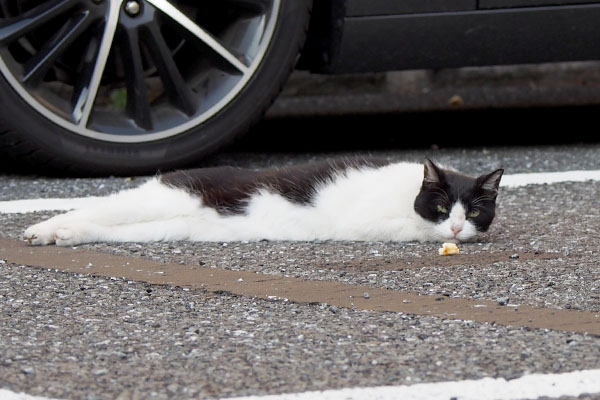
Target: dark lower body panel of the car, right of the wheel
{"points": [[381, 35]]}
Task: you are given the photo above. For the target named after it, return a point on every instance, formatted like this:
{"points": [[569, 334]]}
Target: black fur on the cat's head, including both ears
{"points": [[444, 188]]}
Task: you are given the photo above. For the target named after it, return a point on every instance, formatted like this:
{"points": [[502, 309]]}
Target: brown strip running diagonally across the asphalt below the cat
{"points": [[273, 287]]}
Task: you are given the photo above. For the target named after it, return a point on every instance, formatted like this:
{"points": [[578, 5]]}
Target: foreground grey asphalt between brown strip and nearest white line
{"points": [[72, 336]]}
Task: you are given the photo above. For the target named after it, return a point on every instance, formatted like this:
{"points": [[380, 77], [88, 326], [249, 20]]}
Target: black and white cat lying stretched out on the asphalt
{"points": [[354, 199]]}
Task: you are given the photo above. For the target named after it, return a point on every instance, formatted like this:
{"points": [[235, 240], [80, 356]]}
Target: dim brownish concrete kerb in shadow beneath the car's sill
{"points": [[493, 87]]}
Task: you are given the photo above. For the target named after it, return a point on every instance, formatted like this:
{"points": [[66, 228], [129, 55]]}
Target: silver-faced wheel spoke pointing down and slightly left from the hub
{"points": [[83, 109]]}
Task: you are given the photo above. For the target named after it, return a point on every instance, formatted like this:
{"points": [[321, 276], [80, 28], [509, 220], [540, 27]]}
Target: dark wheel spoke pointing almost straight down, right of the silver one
{"points": [[138, 105]]}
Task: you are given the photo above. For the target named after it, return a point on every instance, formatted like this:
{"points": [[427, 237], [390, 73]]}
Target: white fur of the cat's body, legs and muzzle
{"points": [[368, 204]]}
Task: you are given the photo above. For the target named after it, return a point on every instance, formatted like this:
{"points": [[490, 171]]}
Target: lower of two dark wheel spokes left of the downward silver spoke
{"points": [[37, 66]]}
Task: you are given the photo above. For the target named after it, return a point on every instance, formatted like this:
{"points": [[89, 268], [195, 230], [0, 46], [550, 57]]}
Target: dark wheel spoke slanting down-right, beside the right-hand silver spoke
{"points": [[179, 92]]}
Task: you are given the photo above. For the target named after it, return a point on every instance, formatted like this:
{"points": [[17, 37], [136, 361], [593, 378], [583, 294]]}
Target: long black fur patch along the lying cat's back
{"points": [[227, 189]]}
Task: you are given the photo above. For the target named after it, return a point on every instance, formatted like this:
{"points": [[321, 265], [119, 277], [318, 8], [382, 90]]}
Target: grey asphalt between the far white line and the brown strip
{"points": [[562, 222]]}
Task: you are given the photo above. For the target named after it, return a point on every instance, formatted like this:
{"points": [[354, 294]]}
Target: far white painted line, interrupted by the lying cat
{"points": [[510, 181]]}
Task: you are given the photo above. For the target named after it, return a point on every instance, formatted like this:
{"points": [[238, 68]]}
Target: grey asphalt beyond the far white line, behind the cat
{"points": [[470, 160]]}
